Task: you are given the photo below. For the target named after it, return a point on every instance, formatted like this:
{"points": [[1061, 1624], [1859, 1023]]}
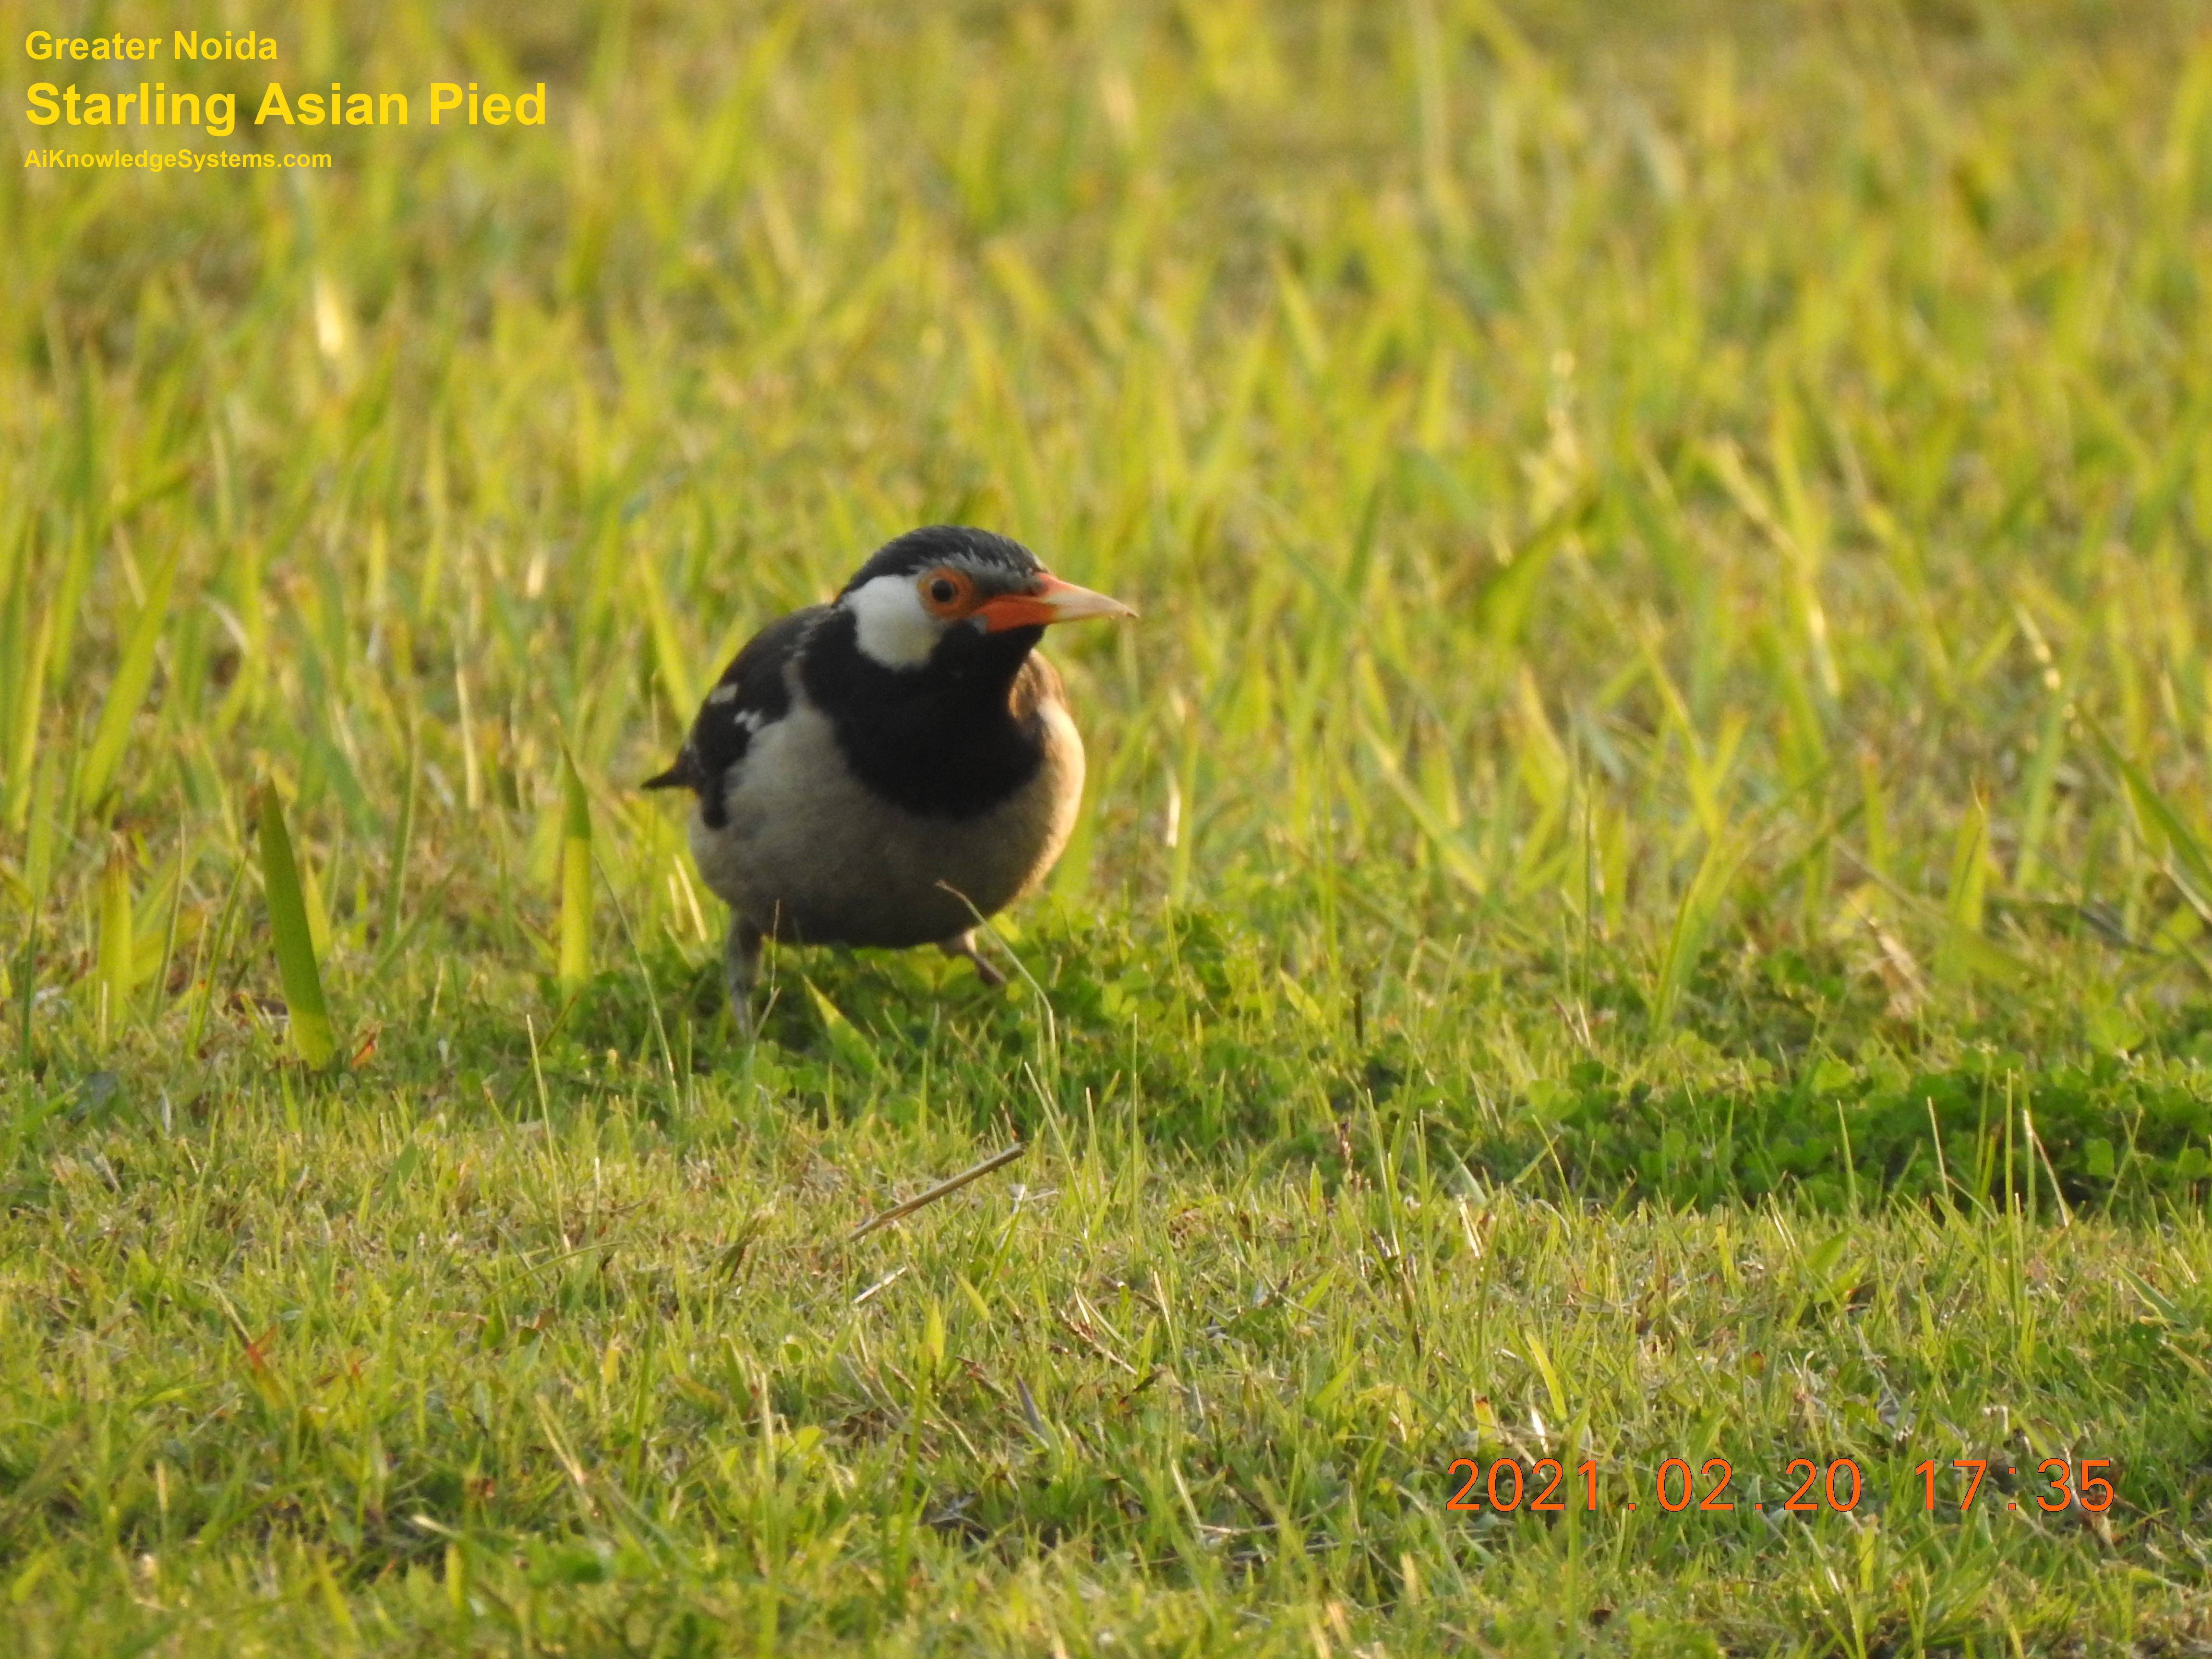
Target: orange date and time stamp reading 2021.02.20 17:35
{"points": [[1839, 1488]]}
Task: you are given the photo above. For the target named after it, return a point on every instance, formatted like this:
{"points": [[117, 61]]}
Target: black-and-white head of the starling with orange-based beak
{"points": [[961, 601]]}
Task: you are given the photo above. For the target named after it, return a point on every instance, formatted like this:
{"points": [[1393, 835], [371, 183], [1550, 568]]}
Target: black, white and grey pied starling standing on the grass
{"points": [[893, 766]]}
